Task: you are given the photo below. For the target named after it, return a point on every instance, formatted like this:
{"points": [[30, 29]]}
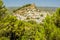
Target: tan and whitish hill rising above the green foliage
{"points": [[29, 12]]}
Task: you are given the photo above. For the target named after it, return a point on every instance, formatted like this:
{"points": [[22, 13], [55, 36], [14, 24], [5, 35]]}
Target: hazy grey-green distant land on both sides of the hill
{"points": [[40, 8]]}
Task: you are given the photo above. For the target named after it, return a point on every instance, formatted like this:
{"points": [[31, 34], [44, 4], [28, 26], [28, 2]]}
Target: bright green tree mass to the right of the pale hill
{"points": [[51, 26]]}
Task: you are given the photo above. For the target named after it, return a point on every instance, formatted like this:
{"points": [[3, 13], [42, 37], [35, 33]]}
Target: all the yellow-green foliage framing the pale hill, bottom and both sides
{"points": [[13, 29]]}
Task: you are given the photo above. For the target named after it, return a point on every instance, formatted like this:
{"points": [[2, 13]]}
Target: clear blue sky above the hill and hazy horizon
{"points": [[41, 3]]}
